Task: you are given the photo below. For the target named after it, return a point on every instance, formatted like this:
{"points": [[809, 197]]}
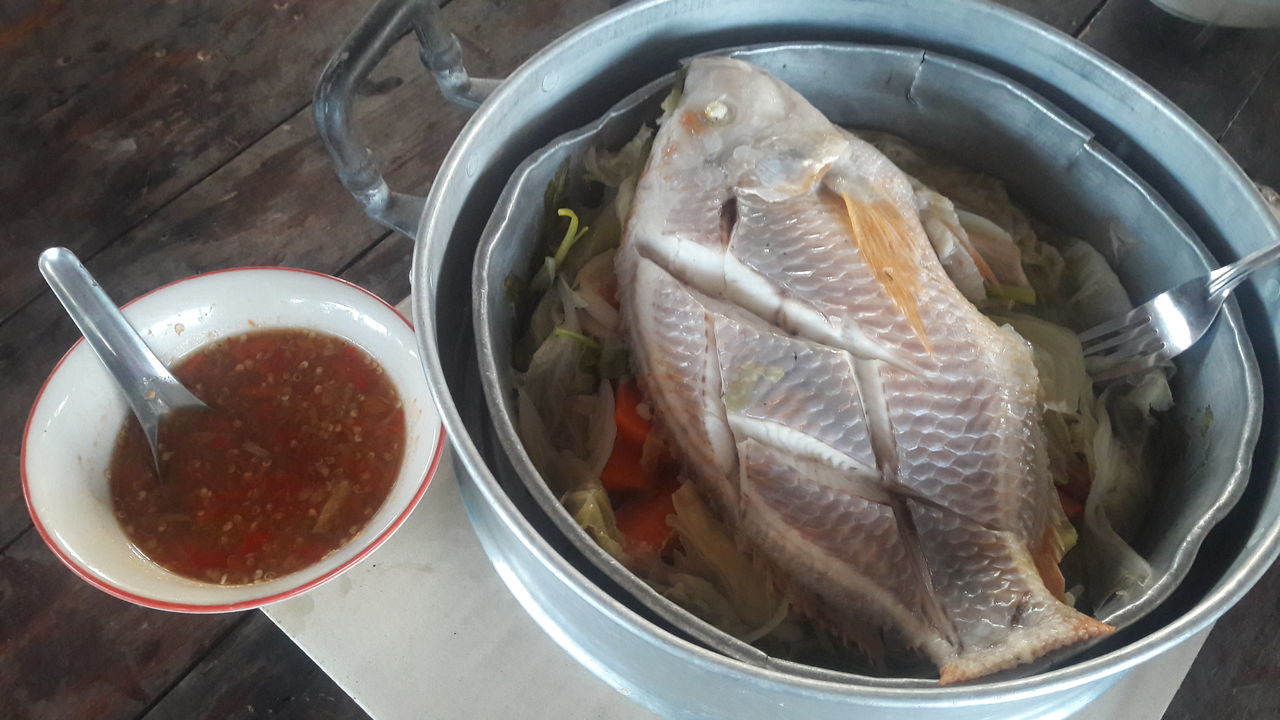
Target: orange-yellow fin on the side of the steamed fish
{"points": [[879, 234]]}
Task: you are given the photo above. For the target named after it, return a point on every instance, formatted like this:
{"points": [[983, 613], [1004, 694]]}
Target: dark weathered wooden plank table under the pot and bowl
{"points": [[166, 138]]}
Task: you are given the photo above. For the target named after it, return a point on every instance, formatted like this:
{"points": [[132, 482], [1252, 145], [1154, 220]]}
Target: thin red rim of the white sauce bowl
{"points": [[245, 604]]}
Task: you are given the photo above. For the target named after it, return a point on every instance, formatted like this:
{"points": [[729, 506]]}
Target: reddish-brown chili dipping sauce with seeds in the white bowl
{"points": [[301, 449]]}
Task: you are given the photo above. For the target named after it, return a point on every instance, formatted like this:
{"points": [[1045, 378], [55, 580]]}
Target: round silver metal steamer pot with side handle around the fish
{"points": [[1119, 124]]}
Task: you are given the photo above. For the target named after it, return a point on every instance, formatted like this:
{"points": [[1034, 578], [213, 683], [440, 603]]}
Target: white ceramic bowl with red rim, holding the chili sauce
{"points": [[71, 431]]}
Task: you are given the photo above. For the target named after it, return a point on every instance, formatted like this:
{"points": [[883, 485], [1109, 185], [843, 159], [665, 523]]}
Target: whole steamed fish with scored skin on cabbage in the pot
{"points": [[863, 430]]}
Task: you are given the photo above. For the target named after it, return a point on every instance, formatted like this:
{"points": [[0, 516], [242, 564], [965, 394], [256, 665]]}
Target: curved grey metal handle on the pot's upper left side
{"points": [[385, 25]]}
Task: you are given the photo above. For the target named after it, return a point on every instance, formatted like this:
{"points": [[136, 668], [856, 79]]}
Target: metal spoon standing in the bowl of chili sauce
{"points": [[152, 390]]}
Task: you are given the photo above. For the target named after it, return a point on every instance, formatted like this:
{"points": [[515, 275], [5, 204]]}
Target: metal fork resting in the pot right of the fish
{"points": [[1165, 326]]}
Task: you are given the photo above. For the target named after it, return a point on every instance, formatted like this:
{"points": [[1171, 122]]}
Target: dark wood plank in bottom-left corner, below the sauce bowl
{"points": [[68, 650]]}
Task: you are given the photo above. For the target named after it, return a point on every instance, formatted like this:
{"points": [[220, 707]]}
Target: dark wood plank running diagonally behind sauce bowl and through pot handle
{"points": [[278, 203]]}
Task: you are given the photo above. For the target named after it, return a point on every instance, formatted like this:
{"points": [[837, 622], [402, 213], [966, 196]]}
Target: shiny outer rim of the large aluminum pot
{"points": [[1250, 567]]}
